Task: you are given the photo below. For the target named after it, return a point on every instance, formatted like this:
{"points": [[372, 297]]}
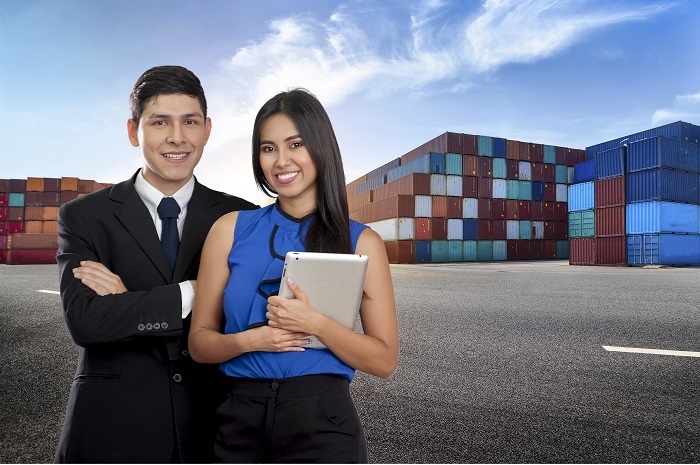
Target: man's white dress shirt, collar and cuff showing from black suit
{"points": [[151, 198]]}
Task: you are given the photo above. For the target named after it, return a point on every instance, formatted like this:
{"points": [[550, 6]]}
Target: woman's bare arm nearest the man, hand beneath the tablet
{"points": [[207, 343]]}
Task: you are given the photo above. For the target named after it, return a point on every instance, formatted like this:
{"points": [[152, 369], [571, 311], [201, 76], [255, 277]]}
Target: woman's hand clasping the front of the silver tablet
{"points": [[295, 314]]}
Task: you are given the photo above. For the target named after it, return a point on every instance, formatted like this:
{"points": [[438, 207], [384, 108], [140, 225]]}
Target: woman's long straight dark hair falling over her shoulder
{"points": [[329, 230]]}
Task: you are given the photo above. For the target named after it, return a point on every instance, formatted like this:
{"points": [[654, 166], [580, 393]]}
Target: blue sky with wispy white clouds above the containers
{"points": [[392, 74]]}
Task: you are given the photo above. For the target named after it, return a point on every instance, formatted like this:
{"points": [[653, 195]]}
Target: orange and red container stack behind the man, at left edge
{"points": [[29, 213]]}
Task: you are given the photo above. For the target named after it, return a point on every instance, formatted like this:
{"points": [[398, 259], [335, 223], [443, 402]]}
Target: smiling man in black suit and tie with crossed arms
{"points": [[137, 395]]}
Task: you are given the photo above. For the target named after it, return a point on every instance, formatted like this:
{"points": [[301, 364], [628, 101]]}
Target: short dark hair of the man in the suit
{"points": [[165, 80]]}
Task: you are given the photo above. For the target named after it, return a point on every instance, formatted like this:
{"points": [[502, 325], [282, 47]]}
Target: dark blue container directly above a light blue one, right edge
{"points": [[663, 184]]}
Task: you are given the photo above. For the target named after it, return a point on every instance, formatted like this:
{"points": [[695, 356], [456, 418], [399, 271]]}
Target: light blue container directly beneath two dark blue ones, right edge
{"points": [[662, 217]]}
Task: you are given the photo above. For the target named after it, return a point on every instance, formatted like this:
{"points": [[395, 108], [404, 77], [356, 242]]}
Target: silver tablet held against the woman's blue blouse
{"points": [[334, 283]]}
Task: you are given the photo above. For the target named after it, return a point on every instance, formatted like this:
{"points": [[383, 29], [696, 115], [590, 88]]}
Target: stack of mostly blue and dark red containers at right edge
{"points": [[647, 199]]}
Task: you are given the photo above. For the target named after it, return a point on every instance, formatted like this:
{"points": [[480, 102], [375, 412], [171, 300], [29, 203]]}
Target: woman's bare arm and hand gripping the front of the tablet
{"points": [[377, 350]]}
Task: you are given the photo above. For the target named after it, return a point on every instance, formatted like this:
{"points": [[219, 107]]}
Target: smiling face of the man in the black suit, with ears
{"points": [[172, 133]]}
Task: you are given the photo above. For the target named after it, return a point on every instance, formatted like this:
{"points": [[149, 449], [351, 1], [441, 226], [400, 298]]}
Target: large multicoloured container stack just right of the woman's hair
{"points": [[473, 198]]}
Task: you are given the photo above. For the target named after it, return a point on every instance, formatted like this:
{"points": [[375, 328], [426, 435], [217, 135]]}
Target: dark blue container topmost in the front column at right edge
{"points": [[662, 152]]}
